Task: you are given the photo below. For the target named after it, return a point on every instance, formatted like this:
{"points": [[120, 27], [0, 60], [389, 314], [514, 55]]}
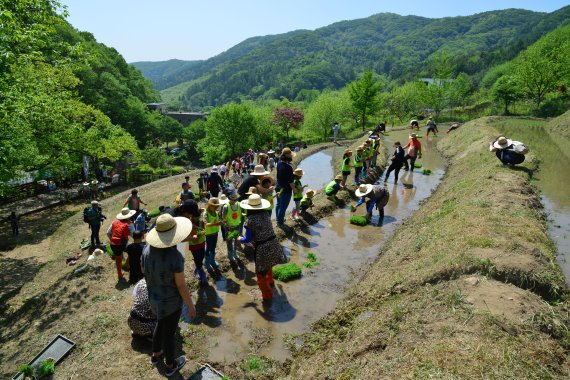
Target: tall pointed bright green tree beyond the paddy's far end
{"points": [[364, 96]]}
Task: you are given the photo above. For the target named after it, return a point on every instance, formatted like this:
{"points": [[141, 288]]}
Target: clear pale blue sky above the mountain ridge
{"points": [[144, 30]]}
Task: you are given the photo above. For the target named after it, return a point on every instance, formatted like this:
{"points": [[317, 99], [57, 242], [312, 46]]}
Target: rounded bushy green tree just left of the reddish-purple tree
{"points": [[229, 132]]}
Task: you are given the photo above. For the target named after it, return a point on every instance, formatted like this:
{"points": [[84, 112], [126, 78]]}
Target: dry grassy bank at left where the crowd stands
{"points": [[45, 299]]}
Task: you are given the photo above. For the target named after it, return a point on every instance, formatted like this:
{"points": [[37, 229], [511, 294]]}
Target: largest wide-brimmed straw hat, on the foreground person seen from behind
{"points": [[169, 231]]}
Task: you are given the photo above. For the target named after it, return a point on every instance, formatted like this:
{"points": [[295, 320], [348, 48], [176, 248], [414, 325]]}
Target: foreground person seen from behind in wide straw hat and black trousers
{"points": [[163, 268]]}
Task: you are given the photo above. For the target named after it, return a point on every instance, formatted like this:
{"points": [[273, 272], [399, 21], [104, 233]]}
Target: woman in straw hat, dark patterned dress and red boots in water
{"points": [[268, 252]]}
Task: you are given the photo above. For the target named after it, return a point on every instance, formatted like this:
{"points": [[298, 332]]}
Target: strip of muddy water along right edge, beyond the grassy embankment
{"points": [[553, 179]]}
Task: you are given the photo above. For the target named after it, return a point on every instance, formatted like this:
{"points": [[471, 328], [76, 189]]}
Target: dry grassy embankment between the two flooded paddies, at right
{"points": [[459, 290]]}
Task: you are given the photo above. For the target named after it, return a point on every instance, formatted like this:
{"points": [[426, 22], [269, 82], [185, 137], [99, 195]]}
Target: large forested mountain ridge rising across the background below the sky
{"points": [[330, 57]]}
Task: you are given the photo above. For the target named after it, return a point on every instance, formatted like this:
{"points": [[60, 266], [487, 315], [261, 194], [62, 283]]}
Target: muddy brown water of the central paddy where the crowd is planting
{"points": [[232, 312]]}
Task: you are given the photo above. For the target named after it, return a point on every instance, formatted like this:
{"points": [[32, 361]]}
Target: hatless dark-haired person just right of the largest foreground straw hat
{"points": [[197, 240]]}
